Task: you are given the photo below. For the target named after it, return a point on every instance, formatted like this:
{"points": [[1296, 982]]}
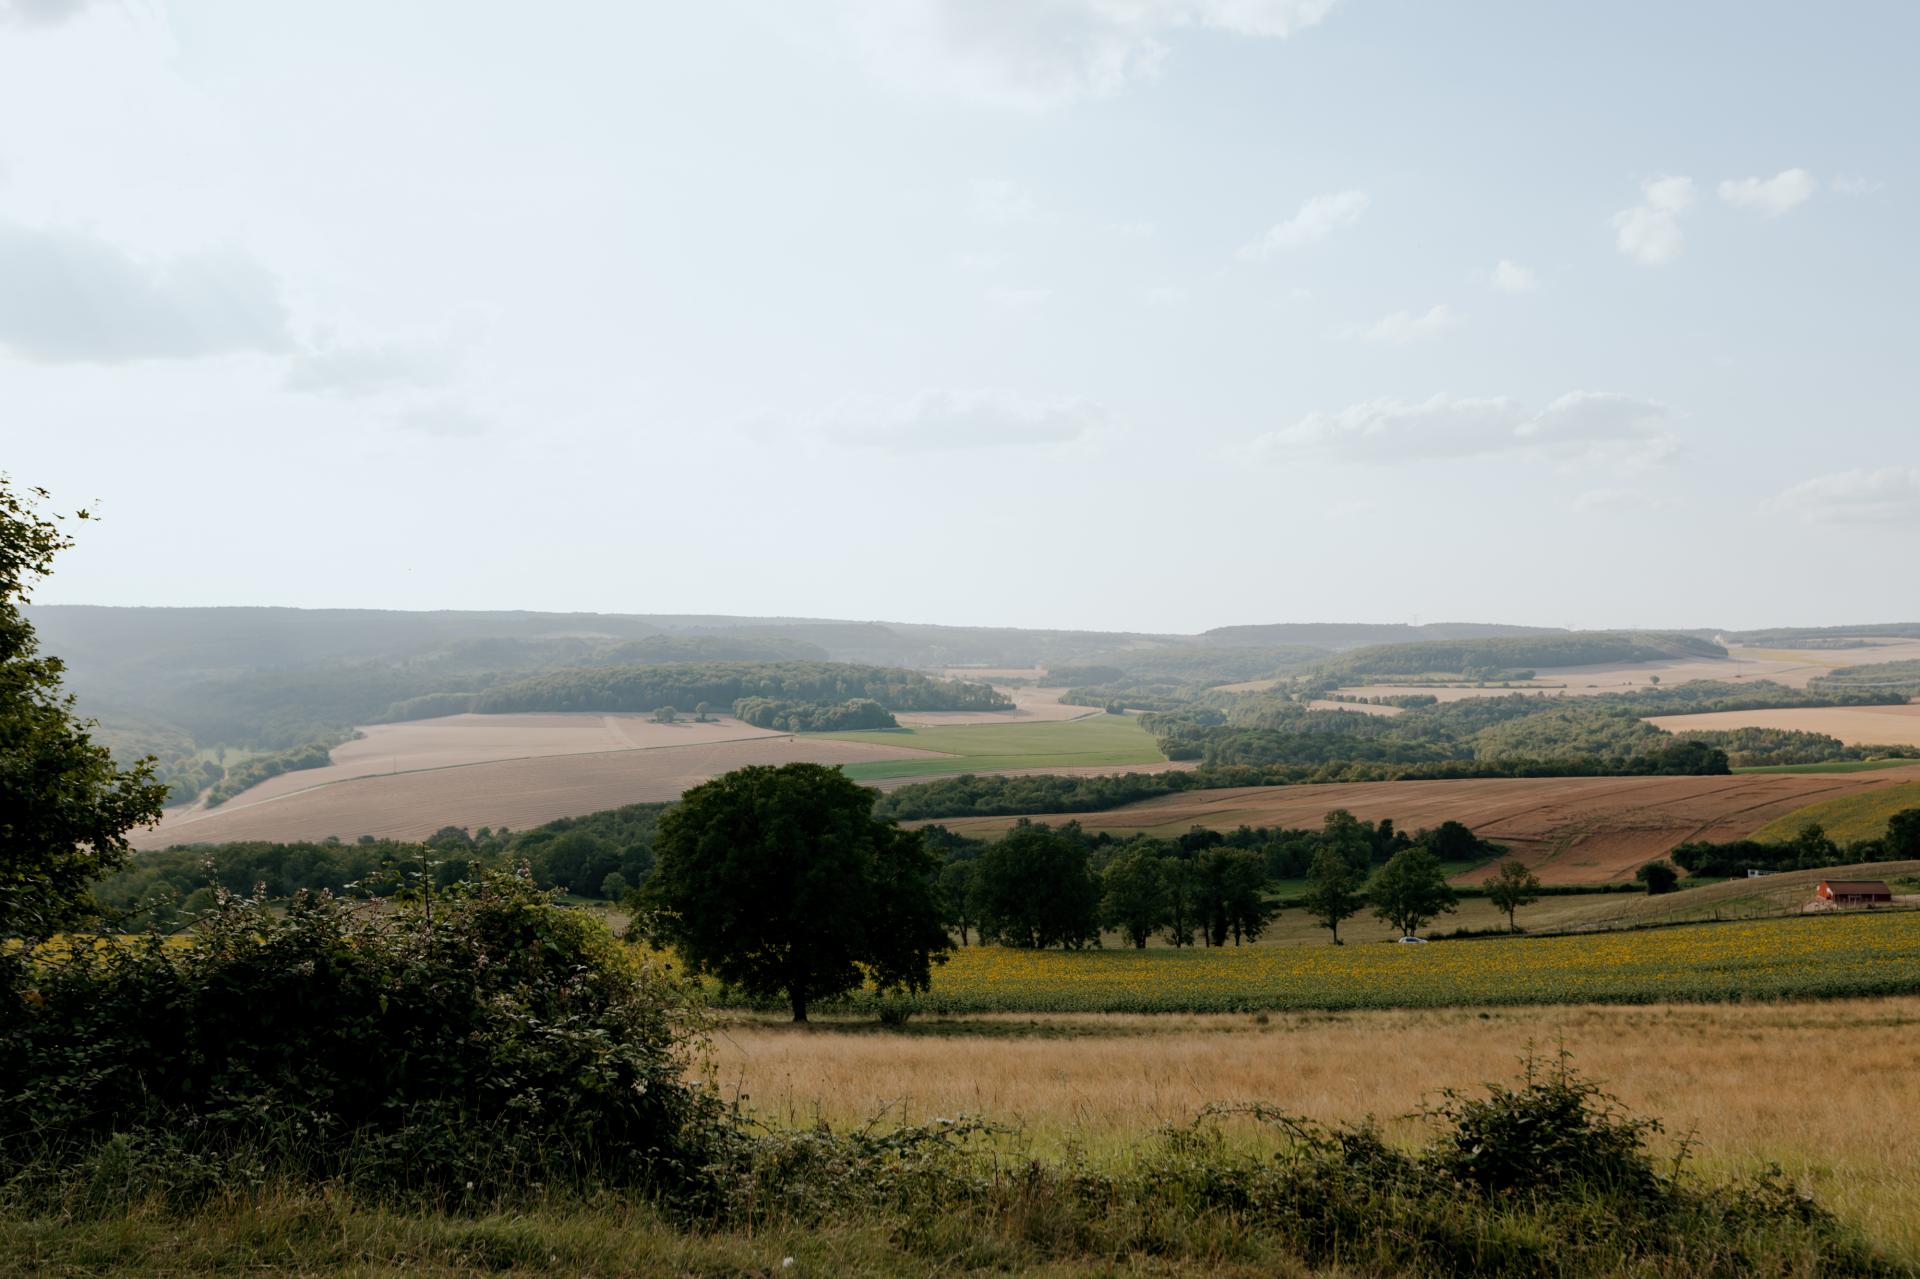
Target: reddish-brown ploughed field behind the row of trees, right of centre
{"points": [[1570, 831]]}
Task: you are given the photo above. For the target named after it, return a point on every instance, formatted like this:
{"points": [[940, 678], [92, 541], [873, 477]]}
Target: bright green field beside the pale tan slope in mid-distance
{"points": [[976, 748]]}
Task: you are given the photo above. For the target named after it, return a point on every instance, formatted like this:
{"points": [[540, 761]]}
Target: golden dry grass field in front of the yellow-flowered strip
{"points": [[1827, 1090]]}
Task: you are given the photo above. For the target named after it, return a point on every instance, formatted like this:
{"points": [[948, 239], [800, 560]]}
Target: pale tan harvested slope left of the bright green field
{"points": [[517, 792]]}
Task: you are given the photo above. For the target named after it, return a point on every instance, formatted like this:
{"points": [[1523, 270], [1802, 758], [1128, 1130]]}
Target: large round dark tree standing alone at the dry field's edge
{"points": [[782, 882]]}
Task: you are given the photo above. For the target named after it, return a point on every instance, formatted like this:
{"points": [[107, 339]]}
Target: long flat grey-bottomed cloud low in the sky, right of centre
{"points": [[1579, 425]]}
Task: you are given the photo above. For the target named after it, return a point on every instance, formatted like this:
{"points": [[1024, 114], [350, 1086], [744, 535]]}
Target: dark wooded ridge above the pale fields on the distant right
{"points": [[1495, 656]]}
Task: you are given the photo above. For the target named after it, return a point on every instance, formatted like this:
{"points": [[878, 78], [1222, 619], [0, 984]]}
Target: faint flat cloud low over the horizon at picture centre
{"points": [[963, 420]]}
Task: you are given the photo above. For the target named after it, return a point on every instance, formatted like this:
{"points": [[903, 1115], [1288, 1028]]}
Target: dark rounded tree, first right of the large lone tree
{"points": [[1036, 890]]}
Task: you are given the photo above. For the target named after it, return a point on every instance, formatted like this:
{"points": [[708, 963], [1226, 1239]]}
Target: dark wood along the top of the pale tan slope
{"points": [[684, 685]]}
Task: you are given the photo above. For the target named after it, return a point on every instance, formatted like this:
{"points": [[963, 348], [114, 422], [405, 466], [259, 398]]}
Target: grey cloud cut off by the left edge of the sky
{"points": [[68, 297]]}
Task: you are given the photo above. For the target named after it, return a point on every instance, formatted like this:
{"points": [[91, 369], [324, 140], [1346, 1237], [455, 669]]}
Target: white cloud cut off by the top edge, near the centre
{"points": [[1045, 53]]}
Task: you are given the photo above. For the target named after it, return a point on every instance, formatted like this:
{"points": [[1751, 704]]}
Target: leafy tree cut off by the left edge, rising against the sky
{"points": [[64, 806]]}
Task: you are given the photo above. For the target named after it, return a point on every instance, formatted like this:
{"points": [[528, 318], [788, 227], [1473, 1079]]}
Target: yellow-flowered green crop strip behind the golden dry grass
{"points": [[1867, 953]]}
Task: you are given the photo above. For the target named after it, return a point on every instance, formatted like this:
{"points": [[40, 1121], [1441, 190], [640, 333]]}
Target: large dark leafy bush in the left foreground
{"points": [[452, 1046]]}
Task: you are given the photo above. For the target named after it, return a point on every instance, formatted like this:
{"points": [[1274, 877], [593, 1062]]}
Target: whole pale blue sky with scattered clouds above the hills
{"points": [[1099, 314]]}
